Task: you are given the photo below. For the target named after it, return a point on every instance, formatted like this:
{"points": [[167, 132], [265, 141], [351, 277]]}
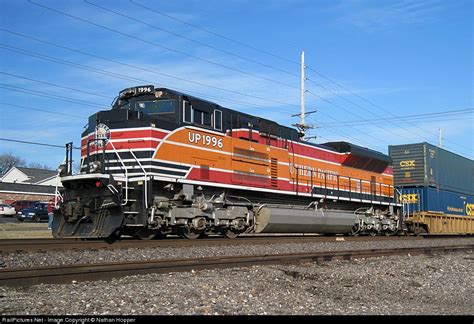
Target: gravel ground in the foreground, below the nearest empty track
{"points": [[397, 285]]}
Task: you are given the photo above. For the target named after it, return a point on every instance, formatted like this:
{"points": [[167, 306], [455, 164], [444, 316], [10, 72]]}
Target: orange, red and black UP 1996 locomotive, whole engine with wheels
{"points": [[163, 162]]}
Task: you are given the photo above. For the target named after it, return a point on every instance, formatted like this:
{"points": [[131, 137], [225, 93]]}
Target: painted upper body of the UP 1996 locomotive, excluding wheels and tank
{"points": [[199, 142]]}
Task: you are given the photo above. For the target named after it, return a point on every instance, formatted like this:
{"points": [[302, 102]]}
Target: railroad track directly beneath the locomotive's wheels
{"points": [[28, 245]]}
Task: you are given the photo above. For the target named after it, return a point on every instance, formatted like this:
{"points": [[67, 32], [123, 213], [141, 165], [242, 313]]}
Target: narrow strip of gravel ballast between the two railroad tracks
{"points": [[50, 258]]}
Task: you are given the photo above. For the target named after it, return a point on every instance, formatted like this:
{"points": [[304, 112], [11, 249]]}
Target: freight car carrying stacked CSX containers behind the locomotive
{"points": [[436, 188]]}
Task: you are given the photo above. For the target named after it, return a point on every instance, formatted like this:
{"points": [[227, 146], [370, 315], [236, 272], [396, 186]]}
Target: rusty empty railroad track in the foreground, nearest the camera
{"points": [[106, 271]]}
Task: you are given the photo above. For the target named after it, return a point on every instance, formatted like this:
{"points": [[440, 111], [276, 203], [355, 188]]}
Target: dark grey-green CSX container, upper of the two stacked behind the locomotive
{"points": [[426, 165]]}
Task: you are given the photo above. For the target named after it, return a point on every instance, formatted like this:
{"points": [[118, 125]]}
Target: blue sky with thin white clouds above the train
{"points": [[392, 59]]}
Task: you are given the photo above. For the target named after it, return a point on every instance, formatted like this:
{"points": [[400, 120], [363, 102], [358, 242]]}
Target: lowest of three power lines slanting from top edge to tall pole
{"points": [[161, 46]]}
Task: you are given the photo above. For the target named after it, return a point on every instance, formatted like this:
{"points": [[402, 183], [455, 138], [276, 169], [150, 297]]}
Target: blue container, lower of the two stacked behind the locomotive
{"points": [[428, 199]]}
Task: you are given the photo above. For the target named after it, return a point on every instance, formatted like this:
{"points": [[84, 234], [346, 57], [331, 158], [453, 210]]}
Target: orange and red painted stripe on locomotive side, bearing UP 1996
{"points": [[226, 159]]}
